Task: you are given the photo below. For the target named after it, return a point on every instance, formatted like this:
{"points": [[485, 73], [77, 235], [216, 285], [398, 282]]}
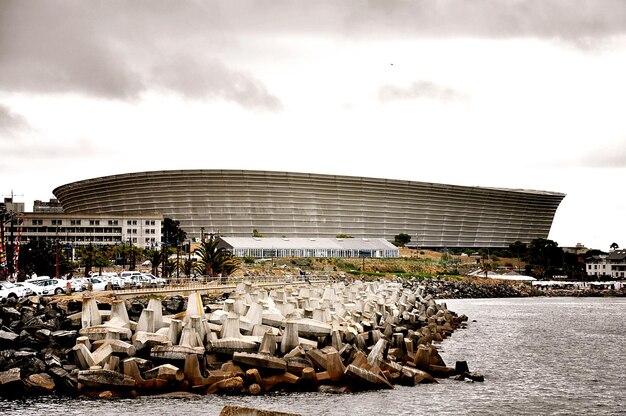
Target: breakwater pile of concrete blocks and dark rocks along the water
{"points": [[337, 338]]}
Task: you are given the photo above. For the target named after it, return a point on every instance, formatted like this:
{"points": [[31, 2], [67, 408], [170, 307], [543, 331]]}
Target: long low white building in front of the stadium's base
{"points": [[260, 247]]}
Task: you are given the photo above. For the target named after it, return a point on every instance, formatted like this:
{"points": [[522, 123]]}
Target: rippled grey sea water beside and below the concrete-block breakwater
{"points": [[540, 356]]}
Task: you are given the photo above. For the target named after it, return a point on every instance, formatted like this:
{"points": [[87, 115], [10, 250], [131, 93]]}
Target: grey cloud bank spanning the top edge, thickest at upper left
{"points": [[112, 48]]}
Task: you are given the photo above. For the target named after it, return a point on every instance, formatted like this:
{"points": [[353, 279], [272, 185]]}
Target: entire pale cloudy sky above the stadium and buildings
{"points": [[496, 93]]}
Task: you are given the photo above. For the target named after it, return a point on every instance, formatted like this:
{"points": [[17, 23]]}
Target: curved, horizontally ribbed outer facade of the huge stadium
{"points": [[235, 202]]}
